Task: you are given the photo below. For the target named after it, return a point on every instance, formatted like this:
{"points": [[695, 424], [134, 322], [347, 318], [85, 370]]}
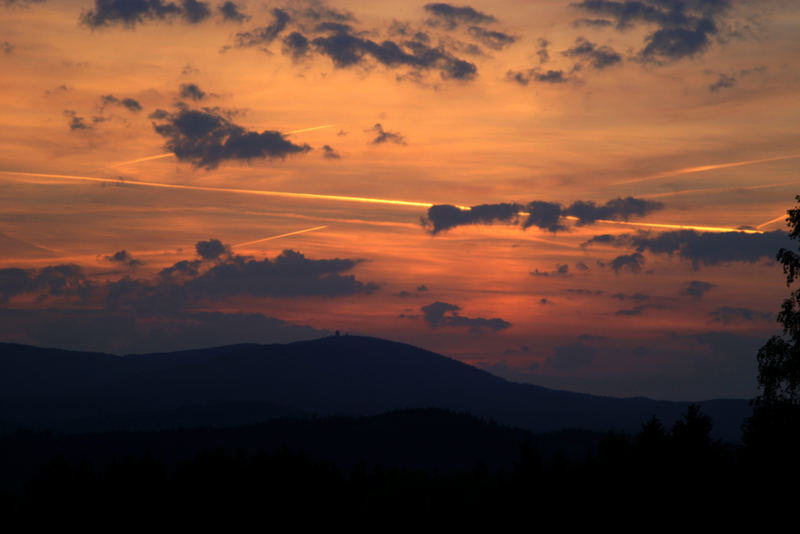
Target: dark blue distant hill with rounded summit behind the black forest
{"points": [[340, 375]]}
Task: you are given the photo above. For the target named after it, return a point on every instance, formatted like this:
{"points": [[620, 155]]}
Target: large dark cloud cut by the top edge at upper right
{"points": [[684, 28]]}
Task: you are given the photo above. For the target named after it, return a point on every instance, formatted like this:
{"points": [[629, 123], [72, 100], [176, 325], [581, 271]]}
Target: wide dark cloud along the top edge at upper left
{"points": [[129, 13]]}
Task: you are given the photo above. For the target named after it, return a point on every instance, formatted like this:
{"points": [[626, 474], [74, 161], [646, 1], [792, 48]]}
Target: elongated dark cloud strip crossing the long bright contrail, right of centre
{"points": [[548, 216]]}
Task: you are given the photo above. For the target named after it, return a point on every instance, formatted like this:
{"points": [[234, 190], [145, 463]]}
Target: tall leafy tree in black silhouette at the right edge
{"points": [[772, 434]]}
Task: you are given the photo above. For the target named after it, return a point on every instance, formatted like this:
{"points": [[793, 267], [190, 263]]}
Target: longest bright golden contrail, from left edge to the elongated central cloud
{"points": [[256, 192]]}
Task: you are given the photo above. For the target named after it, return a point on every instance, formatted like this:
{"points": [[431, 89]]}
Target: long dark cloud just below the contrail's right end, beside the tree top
{"points": [[707, 248]]}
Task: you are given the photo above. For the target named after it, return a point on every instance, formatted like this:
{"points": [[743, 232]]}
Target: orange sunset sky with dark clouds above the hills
{"points": [[583, 195]]}
